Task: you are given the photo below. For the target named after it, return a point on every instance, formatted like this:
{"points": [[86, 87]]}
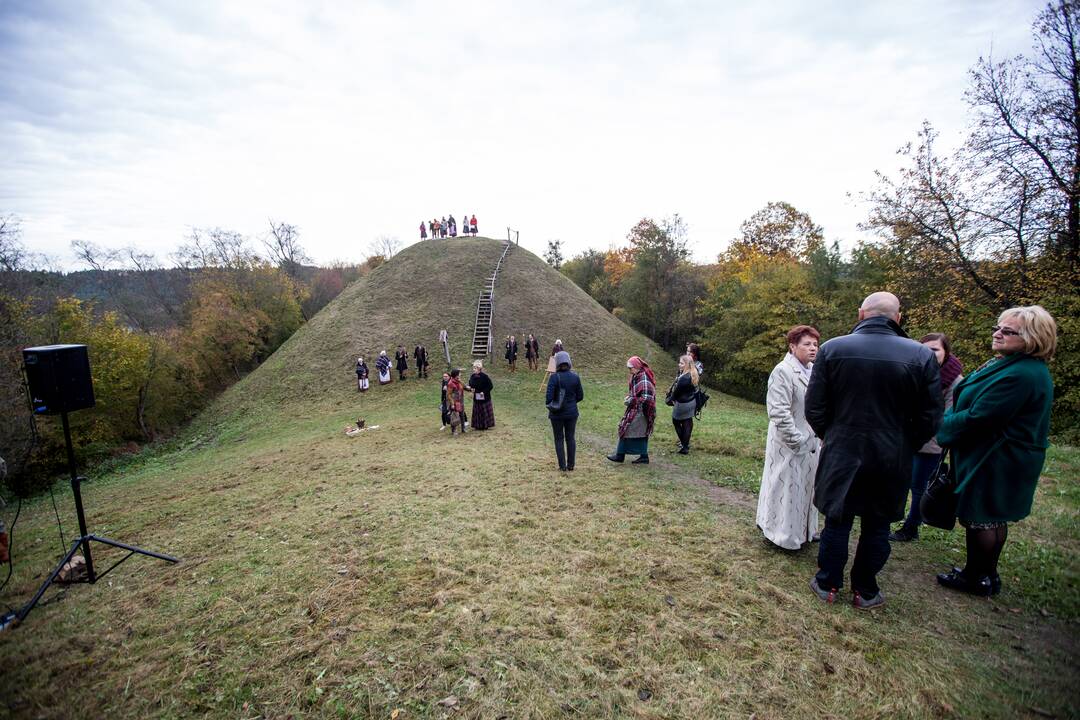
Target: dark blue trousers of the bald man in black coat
{"points": [[871, 554]]}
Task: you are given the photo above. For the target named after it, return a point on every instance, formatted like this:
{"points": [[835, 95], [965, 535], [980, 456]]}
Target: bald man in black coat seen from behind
{"points": [[874, 399]]}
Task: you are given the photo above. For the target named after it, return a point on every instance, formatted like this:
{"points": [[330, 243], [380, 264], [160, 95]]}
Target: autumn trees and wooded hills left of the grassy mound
{"points": [[164, 341]]}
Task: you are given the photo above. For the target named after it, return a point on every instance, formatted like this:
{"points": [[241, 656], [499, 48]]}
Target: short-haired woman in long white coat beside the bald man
{"points": [[786, 511]]}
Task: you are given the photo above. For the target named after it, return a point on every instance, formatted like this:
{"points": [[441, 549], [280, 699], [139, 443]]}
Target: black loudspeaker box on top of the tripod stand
{"points": [[59, 378]]}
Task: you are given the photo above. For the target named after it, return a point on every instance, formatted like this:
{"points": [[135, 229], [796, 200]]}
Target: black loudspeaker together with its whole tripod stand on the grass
{"points": [[59, 382]]}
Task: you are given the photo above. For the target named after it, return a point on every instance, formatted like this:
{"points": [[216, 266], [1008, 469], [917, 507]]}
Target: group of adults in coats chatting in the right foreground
{"points": [[869, 417]]}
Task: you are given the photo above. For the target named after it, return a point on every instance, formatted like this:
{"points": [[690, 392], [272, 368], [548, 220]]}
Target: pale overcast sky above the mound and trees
{"points": [[127, 123]]}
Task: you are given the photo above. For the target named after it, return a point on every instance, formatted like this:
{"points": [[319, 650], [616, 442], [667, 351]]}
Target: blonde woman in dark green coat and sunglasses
{"points": [[997, 434]]}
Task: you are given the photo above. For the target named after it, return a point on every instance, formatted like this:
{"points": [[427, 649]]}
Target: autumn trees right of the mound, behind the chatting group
{"points": [[958, 237]]}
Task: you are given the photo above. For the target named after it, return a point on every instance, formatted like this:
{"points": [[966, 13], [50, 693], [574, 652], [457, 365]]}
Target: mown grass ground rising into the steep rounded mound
{"points": [[406, 574]]}
